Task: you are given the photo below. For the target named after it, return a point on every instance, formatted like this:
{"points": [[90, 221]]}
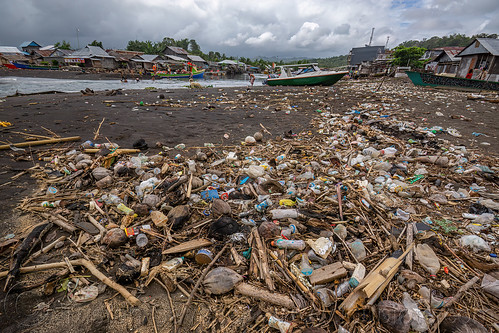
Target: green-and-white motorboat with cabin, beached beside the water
{"points": [[307, 75]]}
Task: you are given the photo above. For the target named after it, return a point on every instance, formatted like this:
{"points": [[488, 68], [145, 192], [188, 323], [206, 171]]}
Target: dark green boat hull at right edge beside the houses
{"points": [[432, 80]]}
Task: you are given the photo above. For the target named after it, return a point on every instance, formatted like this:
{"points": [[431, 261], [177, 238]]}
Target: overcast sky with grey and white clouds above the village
{"points": [[247, 28]]}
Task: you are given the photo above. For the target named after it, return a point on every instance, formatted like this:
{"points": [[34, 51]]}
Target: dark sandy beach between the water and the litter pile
{"points": [[219, 116]]}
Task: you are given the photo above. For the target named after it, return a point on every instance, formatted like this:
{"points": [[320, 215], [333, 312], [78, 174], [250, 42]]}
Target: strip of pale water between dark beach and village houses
{"points": [[26, 85]]}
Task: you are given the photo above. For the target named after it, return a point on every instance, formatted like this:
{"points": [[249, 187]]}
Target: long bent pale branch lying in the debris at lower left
{"points": [[88, 265]]}
